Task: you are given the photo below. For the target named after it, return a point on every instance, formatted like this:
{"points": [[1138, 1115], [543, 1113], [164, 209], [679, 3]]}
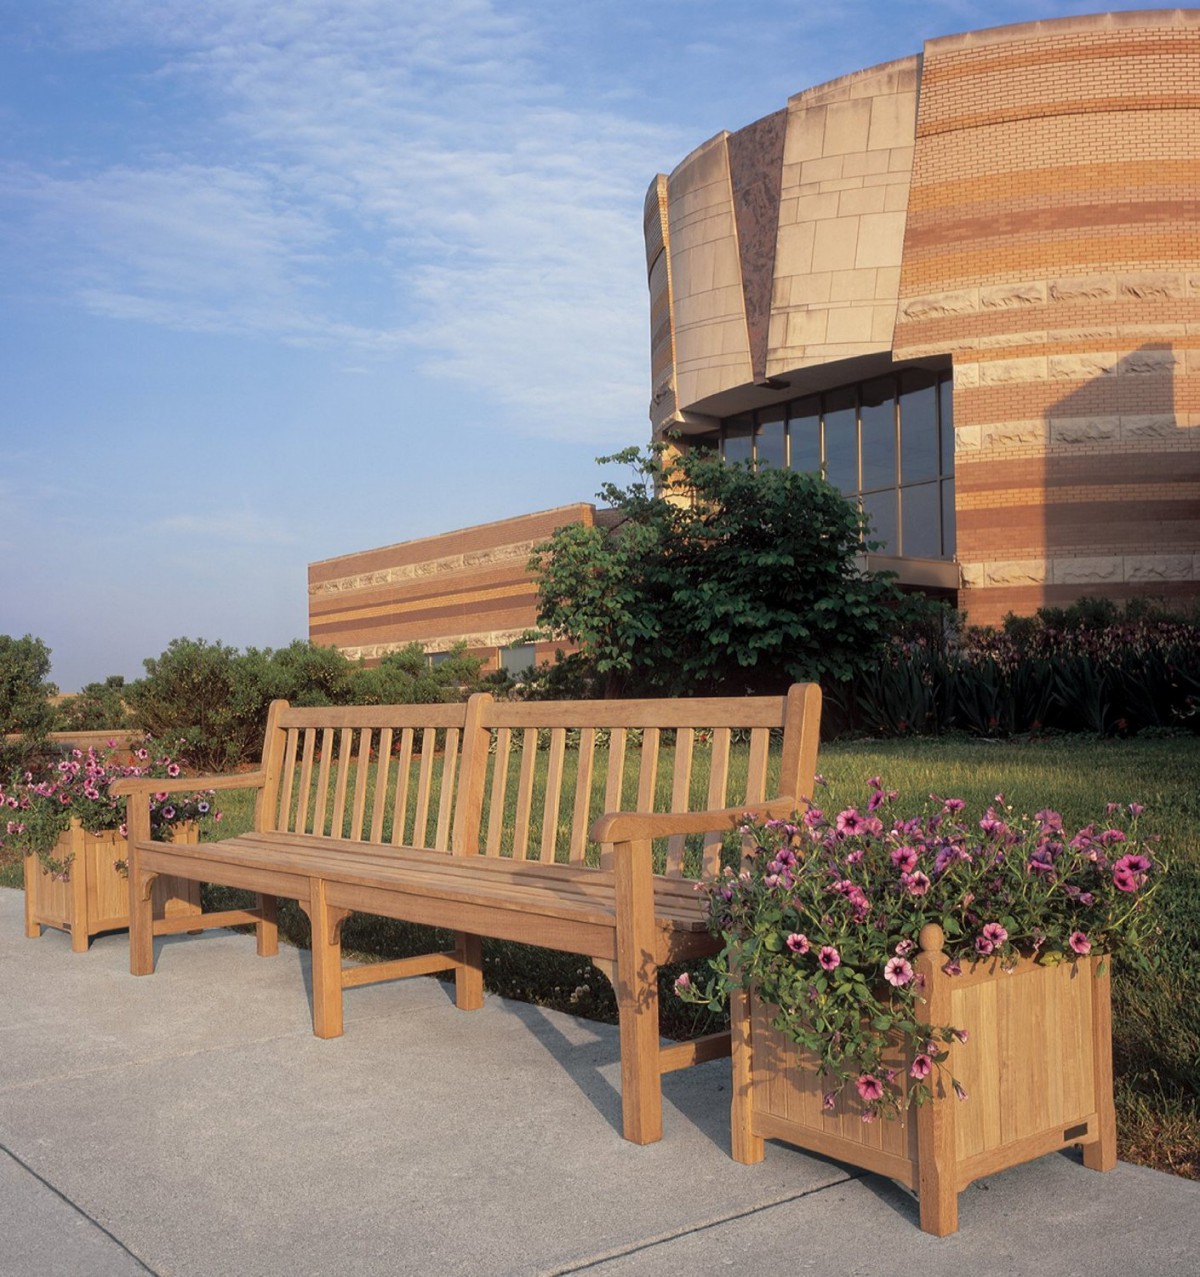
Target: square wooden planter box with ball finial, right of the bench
{"points": [[1037, 1069]]}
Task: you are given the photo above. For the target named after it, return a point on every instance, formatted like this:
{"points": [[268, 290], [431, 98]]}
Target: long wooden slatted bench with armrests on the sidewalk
{"points": [[476, 818]]}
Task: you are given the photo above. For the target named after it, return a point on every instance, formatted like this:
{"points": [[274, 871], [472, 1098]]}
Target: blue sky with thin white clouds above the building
{"points": [[283, 280]]}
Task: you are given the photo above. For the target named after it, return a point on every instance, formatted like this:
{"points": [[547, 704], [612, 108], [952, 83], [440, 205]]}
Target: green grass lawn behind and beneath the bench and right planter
{"points": [[1156, 1021]]}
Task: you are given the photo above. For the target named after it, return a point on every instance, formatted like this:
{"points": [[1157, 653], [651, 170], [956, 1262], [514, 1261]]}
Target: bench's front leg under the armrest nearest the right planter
{"points": [[638, 997]]}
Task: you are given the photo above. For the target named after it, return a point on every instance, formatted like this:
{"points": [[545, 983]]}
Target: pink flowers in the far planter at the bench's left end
{"points": [[41, 808]]}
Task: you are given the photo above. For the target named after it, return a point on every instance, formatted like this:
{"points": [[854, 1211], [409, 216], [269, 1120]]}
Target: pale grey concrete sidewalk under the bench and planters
{"points": [[191, 1124]]}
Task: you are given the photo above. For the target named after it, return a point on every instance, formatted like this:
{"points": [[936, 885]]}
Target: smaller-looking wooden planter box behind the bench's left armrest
{"points": [[94, 896]]}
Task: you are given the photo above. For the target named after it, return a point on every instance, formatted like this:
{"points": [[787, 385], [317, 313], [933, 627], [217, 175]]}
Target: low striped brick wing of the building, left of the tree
{"points": [[468, 587]]}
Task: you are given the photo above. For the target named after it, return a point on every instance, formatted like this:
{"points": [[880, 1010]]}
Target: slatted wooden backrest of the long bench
{"points": [[528, 780]]}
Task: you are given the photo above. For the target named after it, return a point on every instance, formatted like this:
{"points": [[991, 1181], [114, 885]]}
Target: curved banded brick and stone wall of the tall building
{"points": [[1021, 204]]}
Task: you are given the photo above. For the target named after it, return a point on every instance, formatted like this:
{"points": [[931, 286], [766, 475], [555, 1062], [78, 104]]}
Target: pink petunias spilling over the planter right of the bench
{"points": [[824, 921]]}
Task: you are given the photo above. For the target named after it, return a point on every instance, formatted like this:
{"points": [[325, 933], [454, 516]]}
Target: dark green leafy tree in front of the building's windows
{"points": [[739, 580]]}
